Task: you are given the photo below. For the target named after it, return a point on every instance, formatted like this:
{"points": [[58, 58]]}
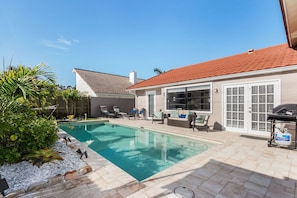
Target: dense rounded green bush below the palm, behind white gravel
{"points": [[24, 133]]}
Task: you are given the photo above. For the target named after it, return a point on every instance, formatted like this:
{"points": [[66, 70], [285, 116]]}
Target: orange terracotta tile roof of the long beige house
{"points": [[267, 58]]}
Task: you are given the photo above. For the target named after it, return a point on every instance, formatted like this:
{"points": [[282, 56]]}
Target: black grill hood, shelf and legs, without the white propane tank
{"points": [[282, 113]]}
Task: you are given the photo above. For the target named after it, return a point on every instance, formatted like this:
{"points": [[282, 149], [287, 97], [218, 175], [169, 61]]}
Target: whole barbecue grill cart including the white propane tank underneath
{"points": [[283, 114]]}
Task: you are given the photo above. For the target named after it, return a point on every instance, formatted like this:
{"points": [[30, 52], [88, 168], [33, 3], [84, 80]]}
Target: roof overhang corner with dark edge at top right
{"points": [[289, 12]]}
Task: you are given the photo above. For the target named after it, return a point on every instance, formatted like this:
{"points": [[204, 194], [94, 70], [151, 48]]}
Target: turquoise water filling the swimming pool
{"points": [[139, 152]]}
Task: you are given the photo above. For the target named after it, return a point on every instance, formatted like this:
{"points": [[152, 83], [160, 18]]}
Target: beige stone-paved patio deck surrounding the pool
{"points": [[241, 166]]}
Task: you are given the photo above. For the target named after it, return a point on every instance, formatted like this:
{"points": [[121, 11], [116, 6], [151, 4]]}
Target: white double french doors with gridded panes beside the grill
{"points": [[246, 106]]}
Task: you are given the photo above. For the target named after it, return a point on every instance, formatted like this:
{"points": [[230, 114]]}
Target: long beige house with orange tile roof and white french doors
{"points": [[237, 91]]}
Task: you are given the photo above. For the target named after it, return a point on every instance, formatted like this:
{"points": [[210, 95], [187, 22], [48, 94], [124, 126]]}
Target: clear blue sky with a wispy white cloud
{"points": [[120, 36]]}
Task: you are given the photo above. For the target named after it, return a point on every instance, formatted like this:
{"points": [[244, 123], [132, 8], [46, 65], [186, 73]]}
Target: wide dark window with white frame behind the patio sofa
{"points": [[190, 98]]}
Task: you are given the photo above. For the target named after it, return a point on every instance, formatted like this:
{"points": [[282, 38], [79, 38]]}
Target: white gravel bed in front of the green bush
{"points": [[22, 175]]}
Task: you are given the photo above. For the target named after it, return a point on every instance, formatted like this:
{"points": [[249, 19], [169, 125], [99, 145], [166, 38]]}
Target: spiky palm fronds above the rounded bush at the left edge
{"points": [[20, 84]]}
